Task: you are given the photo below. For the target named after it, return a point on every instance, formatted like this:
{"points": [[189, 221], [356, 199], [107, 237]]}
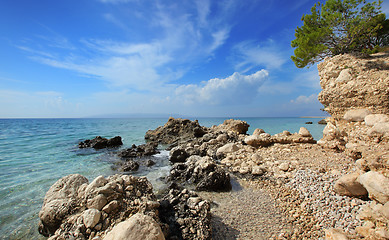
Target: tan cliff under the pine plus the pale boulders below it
{"points": [[356, 94]]}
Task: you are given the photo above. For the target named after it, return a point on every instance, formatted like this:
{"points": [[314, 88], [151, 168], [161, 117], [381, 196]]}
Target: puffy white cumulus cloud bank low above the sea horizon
{"points": [[235, 89]]}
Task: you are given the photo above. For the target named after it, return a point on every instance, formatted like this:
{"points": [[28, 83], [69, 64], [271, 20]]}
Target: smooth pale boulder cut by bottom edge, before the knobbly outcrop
{"points": [[137, 227]]}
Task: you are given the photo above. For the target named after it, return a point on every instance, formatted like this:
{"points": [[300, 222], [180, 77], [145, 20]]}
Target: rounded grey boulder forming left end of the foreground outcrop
{"points": [[59, 202]]}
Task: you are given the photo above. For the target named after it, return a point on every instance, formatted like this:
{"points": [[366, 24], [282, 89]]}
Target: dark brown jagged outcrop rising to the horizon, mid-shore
{"points": [[176, 130]]}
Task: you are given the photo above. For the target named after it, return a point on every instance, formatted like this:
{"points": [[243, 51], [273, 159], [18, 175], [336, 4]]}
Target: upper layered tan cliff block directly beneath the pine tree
{"points": [[355, 82]]}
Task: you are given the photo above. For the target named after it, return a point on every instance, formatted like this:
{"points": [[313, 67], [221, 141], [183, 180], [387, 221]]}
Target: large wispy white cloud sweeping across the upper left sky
{"points": [[185, 36]]}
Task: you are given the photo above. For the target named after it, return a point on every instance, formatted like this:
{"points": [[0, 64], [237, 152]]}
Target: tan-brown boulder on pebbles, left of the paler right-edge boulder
{"points": [[348, 185]]}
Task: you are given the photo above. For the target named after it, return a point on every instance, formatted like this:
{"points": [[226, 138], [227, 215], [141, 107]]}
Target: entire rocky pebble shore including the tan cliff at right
{"points": [[225, 184]]}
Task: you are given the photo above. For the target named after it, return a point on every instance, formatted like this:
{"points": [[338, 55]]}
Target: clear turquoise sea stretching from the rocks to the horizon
{"points": [[35, 153]]}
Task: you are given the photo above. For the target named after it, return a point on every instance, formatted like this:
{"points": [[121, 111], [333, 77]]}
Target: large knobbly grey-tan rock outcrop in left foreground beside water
{"points": [[74, 207]]}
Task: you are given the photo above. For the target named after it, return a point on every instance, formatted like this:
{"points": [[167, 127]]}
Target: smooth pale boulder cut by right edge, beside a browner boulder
{"points": [[377, 185]]}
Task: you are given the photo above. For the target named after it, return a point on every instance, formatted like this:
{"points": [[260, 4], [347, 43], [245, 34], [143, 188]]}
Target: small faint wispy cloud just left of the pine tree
{"points": [[250, 54]]}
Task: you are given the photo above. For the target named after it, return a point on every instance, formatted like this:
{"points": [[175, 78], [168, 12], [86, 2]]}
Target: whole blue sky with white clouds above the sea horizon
{"points": [[204, 58]]}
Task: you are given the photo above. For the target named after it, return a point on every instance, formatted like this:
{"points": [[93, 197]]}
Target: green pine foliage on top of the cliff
{"points": [[339, 26]]}
